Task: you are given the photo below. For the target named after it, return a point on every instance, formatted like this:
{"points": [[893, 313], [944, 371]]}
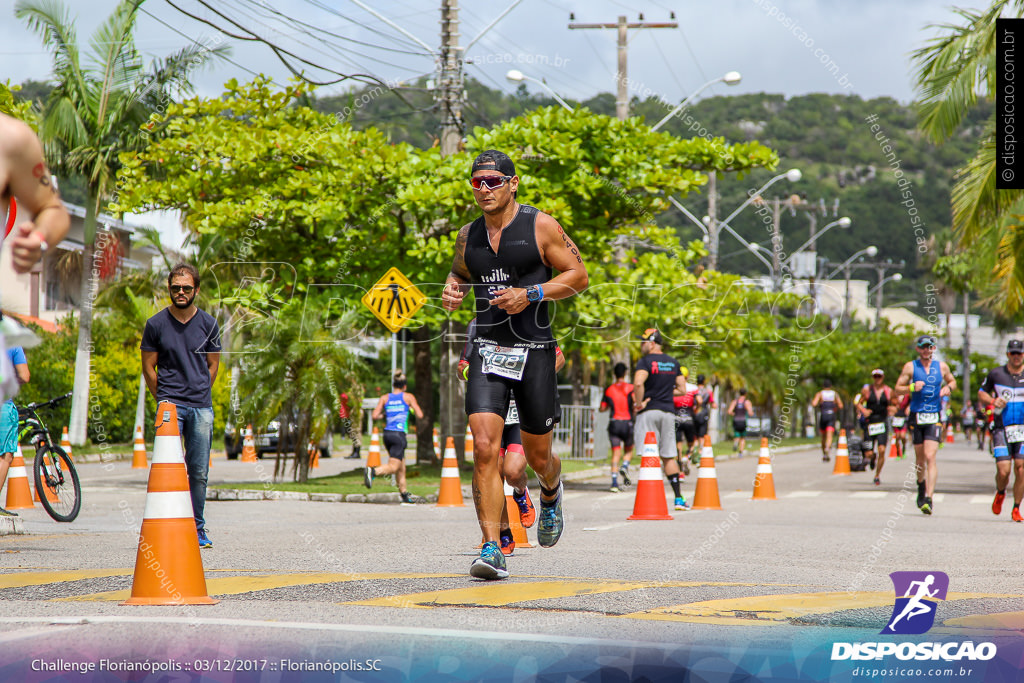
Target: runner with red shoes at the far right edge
{"points": [[1004, 391]]}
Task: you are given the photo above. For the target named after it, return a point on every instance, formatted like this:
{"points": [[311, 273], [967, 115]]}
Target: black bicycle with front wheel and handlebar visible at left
{"points": [[57, 482]]}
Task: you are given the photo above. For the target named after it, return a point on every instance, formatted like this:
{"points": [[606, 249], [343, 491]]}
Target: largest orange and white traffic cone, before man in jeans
{"points": [[168, 567]]}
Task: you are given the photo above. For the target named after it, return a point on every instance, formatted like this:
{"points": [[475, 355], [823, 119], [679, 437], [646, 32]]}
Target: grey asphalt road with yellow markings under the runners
{"points": [[762, 587]]}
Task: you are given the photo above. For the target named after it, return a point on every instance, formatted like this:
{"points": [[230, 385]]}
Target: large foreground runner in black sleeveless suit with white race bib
{"points": [[507, 257]]}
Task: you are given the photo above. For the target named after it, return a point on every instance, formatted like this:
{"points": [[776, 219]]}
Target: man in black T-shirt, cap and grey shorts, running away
{"points": [[657, 378]]}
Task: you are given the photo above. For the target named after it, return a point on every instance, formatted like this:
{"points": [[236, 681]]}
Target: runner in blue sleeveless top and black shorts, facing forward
{"points": [[926, 381]]}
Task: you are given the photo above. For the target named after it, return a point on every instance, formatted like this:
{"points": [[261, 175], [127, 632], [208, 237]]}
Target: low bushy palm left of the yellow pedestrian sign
{"points": [[295, 366]]}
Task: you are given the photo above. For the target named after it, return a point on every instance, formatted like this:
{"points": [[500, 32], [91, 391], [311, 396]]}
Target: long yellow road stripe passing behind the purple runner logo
{"points": [[778, 610]]}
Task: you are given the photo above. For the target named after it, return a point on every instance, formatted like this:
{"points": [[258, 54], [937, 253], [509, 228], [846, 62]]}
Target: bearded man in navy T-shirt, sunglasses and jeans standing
{"points": [[181, 358]]}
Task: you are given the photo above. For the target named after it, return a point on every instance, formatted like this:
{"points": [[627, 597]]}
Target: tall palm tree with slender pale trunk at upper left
{"points": [[95, 114]]}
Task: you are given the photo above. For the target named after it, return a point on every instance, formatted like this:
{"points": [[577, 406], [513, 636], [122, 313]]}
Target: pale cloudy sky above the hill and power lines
{"points": [[780, 47]]}
